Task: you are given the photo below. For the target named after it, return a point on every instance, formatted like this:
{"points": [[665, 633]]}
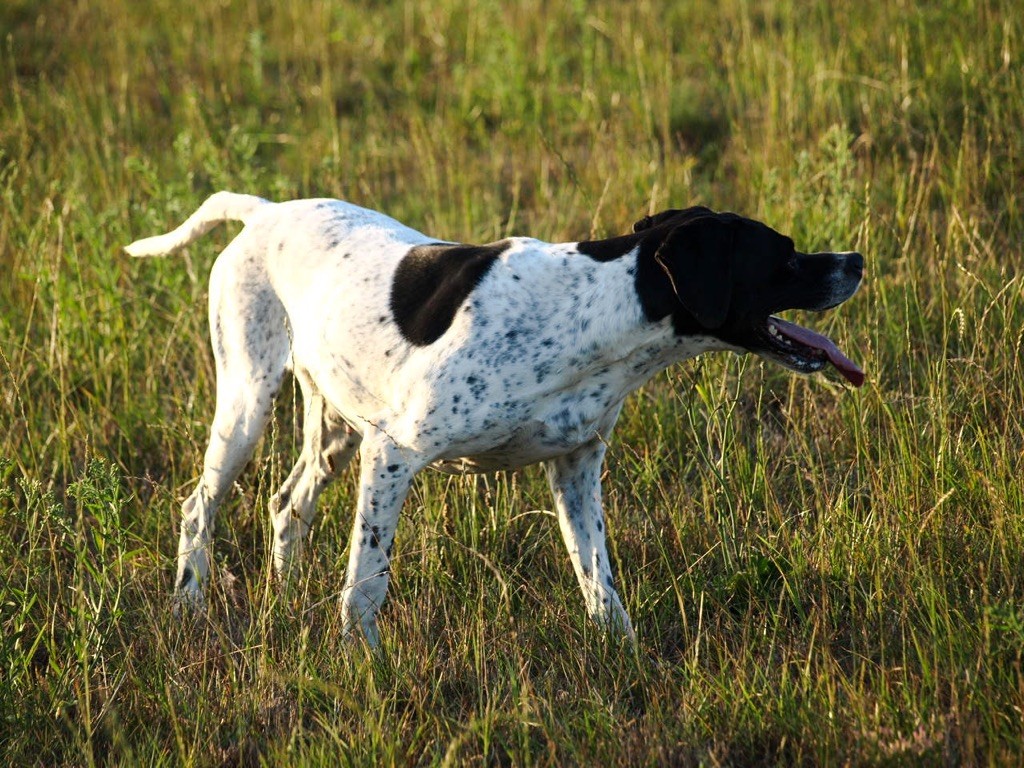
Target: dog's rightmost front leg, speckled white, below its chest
{"points": [[576, 483]]}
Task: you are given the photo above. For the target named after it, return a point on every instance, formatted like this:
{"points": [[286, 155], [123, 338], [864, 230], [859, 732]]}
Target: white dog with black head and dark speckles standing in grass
{"points": [[417, 353]]}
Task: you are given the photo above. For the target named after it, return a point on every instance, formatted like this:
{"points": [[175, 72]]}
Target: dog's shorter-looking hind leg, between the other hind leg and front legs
{"points": [[328, 446]]}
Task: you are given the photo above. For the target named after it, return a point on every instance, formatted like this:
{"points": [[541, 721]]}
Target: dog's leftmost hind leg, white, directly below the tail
{"points": [[251, 349]]}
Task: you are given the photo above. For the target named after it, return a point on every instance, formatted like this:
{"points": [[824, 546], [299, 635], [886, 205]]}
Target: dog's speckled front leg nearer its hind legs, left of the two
{"points": [[386, 476]]}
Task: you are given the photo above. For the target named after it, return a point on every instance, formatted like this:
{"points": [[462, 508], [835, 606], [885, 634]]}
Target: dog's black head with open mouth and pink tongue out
{"points": [[727, 276]]}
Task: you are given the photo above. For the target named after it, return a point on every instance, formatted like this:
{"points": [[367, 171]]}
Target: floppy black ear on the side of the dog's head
{"points": [[697, 258]]}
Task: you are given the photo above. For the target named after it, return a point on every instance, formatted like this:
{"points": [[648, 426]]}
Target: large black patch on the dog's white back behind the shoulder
{"points": [[433, 282]]}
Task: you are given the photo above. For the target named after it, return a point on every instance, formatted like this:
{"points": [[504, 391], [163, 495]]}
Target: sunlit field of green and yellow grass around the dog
{"points": [[819, 576]]}
